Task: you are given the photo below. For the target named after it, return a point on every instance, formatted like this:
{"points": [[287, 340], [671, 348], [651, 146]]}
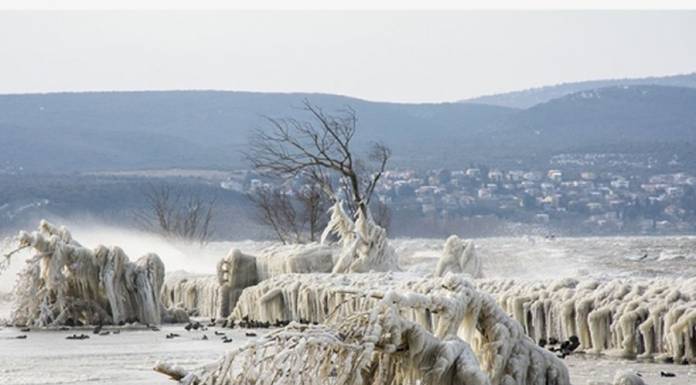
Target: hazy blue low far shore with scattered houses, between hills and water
{"points": [[572, 195]]}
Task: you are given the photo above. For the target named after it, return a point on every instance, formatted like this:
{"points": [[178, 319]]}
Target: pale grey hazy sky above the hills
{"points": [[392, 56]]}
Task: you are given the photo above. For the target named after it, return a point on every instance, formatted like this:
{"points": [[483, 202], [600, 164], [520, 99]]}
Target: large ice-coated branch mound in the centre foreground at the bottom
{"points": [[378, 346]]}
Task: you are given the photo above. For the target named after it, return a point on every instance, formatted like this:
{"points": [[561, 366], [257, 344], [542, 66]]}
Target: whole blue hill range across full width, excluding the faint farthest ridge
{"points": [[77, 132]]}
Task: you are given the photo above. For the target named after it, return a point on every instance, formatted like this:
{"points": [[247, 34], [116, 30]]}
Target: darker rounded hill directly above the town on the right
{"points": [[616, 116]]}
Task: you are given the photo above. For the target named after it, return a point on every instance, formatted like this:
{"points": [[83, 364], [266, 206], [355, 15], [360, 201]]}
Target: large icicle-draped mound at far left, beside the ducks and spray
{"points": [[66, 283]]}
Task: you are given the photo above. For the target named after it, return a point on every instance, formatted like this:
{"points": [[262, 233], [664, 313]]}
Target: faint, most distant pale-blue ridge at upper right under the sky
{"points": [[533, 96]]}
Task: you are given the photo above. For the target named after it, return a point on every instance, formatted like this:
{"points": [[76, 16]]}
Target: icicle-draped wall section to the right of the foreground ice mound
{"points": [[630, 318]]}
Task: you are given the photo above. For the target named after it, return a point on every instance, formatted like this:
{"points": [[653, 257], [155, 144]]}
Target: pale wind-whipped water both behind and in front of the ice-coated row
{"points": [[46, 357]]}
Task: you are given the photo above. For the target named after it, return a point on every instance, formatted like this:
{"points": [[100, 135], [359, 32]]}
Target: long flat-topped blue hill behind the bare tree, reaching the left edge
{"points": [[67, 132]]}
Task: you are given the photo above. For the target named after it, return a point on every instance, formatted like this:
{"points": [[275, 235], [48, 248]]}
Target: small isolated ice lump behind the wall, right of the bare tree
{"points": [[459, 256]]}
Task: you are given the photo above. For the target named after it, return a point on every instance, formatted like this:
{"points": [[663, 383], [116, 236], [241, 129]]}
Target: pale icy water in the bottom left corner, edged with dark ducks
{"points": [[127, 358]]}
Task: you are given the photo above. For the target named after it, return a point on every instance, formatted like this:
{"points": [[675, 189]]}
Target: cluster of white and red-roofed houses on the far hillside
{"points": [[568, 201]]}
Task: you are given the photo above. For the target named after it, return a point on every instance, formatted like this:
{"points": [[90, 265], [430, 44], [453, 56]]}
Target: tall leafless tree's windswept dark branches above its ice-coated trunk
{"points": [[319, 147]]}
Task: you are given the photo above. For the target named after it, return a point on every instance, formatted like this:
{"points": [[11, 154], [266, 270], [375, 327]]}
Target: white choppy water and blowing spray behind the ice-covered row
{"points": [[524, 257]]}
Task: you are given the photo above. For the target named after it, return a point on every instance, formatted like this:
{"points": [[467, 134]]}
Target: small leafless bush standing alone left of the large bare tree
{"points": [[174, 213]]}
